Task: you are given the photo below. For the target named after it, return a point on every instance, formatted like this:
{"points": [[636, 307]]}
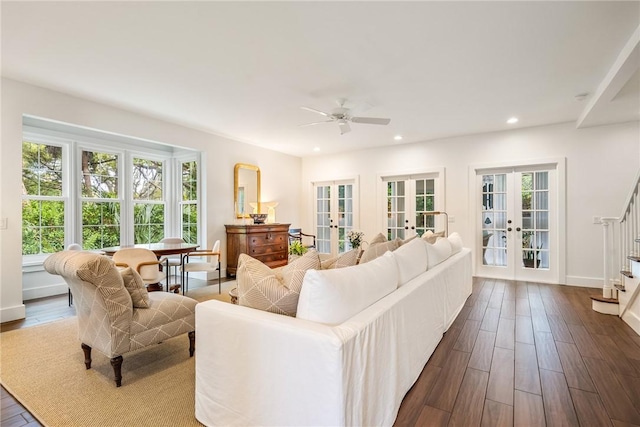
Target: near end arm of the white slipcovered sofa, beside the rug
{"points": [[255, 367]]}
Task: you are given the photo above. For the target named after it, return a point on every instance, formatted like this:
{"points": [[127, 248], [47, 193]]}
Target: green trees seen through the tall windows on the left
{"points": [[43, 210]]}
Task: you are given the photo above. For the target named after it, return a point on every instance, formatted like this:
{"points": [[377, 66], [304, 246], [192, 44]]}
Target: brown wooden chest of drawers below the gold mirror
{"points": [[268, 243]]}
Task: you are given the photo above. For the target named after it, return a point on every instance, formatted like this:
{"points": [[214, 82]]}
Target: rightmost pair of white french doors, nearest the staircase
{"points": [[518, 221]]}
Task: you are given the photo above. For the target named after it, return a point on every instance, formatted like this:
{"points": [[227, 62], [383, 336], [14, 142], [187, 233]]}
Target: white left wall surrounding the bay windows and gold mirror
{"points": [[221, 154]]}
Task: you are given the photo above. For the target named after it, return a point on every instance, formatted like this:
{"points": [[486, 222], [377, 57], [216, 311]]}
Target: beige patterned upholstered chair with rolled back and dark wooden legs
{"points": [[116, 314]]}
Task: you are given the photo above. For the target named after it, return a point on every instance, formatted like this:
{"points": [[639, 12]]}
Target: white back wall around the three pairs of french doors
{"points": [[601, 164]]}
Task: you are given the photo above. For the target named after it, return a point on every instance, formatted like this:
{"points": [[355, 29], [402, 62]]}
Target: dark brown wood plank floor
{"points": [[523, 354]]}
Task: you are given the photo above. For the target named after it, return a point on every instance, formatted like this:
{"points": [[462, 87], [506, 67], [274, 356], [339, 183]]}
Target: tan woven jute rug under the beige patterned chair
{"points": [[43, 368]]}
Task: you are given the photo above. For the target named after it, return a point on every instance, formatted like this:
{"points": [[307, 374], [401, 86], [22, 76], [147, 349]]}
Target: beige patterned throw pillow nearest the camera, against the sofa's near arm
{"points": [[274, 290]]}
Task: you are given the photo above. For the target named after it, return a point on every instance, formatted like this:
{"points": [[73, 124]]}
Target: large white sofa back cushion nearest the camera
{"points": [[333, 296]]}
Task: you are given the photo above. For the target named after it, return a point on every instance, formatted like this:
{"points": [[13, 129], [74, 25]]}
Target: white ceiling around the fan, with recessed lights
{"points": [[243, 69]]}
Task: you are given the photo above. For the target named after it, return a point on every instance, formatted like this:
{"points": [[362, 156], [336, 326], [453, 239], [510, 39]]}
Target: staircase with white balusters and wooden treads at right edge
{"points": [[620, 293]]}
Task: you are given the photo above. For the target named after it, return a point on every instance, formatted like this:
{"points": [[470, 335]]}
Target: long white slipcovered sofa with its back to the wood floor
{"points": [[374, 327]]}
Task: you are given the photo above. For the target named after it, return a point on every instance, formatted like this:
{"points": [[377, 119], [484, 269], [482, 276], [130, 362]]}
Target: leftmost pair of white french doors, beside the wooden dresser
{"points": [[335, 211]]}
